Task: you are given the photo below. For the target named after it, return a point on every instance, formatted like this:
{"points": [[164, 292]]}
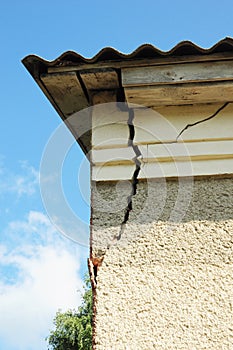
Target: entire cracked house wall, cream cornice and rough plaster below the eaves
{"points": [[164, 279]]}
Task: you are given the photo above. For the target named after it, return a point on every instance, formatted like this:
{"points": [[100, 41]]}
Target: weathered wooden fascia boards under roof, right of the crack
{"points": [[186, 83]]}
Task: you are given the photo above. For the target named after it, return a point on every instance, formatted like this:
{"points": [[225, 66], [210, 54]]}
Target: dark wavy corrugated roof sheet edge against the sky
{"points": [[183, 48]]}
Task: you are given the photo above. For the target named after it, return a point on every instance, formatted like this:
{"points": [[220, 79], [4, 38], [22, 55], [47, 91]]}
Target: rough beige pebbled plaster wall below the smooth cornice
{"points": [[167, 283]]}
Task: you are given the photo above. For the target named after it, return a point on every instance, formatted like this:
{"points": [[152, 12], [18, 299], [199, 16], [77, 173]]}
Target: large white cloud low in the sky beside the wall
{"points": [[47, 280]]}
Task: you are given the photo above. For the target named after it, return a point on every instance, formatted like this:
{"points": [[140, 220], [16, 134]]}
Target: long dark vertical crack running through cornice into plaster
{"points": [[134, 180]]}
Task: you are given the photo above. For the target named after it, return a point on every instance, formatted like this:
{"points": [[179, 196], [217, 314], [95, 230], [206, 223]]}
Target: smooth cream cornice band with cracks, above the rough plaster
{"points": [[169, 139]]}
